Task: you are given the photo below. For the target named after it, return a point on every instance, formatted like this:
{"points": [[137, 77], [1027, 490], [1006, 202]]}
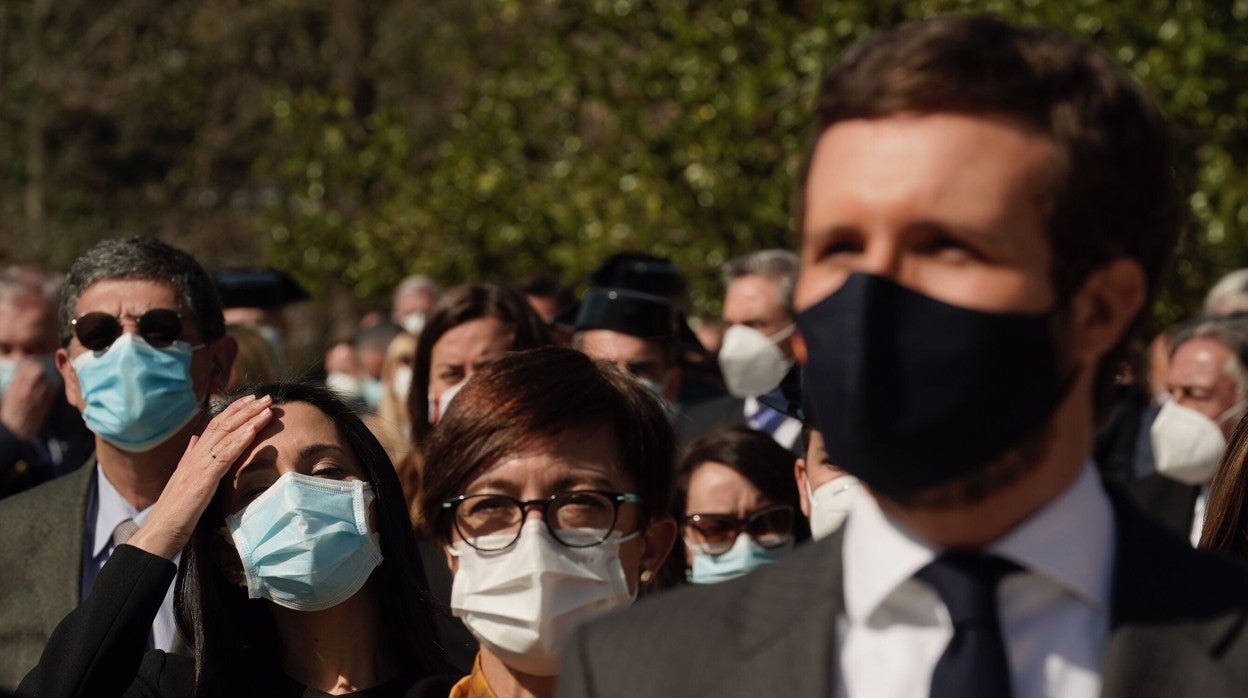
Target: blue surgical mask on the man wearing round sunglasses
{"points": [[137, 396]]}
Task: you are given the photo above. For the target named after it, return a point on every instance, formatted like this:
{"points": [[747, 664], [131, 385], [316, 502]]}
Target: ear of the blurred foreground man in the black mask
{"points": [[1105, 308]]}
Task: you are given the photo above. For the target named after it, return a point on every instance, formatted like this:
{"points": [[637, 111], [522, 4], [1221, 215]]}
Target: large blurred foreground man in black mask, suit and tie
{"points": [[985, 212]]}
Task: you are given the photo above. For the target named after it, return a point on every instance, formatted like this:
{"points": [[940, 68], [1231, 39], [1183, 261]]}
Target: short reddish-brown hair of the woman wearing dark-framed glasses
{"points": [[526, 399]]}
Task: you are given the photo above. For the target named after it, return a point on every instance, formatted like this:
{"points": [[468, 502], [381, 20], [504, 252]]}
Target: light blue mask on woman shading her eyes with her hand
{"points": [[305, 544]]}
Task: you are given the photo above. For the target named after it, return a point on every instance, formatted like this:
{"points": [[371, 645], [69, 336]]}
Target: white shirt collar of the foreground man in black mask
{"points": [[1070, 543]]}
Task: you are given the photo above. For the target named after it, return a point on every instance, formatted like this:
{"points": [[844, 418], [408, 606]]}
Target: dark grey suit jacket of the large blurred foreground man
{"points": [[1177, 629]]}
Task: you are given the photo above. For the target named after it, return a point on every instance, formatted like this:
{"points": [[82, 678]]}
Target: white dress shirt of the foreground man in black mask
{"points": [[1055, 616]]}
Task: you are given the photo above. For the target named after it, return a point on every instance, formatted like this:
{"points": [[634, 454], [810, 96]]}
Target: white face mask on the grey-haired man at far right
{"points": [[1189, 446]]}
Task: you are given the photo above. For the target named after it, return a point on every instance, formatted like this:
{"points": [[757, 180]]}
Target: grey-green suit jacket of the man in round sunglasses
{"points": [[42, 534]]}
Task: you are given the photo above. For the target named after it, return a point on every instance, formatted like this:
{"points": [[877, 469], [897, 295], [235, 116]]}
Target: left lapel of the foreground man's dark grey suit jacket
{"points": [[789, 621]]}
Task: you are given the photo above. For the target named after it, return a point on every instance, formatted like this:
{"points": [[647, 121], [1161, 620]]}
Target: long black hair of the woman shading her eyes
{"points": [[235, 637]]}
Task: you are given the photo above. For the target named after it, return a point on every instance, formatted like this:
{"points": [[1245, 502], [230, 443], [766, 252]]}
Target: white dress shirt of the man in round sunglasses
{"points": [[107, 509]]}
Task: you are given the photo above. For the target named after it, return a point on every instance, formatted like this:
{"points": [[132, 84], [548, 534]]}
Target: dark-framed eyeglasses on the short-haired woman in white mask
{"points": [[580, 520]]}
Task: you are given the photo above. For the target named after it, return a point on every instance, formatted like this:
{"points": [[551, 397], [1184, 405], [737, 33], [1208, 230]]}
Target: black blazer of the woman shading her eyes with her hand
{"points": [[99, 649]]}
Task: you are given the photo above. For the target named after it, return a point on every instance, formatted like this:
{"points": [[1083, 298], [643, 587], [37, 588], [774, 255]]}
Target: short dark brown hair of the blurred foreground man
{"points": [[1116, 194]]}
